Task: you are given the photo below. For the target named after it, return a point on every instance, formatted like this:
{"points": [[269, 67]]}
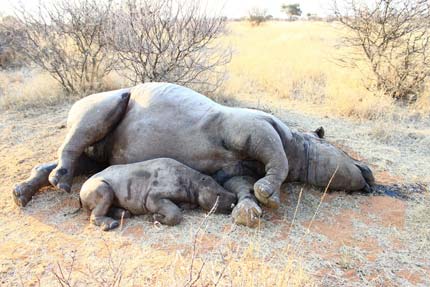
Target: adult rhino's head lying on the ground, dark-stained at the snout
{"points": [[316, 161]]}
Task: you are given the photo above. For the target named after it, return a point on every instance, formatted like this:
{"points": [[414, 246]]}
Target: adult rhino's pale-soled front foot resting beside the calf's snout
{"points": [[247, 212]]}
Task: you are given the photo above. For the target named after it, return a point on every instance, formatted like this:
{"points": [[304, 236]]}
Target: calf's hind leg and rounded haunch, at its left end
{"points": [[97, 196]]}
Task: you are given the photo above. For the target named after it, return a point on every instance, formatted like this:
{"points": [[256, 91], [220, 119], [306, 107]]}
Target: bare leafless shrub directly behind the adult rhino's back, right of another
{"points": [[173, 41]]}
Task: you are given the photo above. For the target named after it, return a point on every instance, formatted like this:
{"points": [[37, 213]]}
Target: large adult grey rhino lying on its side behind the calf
{"points": [[245, 150]]}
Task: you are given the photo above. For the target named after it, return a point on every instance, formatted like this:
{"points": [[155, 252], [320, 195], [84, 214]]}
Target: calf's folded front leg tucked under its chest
{"points": [[165, 211]]}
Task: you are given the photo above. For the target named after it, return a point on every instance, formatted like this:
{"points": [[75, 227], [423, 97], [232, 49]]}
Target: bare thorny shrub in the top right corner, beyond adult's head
{"points": [[392, 37]]}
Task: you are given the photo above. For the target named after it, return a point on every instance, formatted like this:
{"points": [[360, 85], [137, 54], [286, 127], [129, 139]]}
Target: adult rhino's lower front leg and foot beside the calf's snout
{"points": [[247, 211]]}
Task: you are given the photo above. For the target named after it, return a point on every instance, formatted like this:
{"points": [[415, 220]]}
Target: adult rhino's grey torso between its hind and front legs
{"points": [[166, 120]]}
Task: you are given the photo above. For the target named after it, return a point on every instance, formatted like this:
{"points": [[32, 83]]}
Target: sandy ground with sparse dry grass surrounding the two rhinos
{"points": [[342, 240]]}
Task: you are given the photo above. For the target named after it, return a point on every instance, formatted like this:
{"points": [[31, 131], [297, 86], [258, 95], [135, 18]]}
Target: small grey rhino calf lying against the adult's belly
{"points": [[155, 186]]}
